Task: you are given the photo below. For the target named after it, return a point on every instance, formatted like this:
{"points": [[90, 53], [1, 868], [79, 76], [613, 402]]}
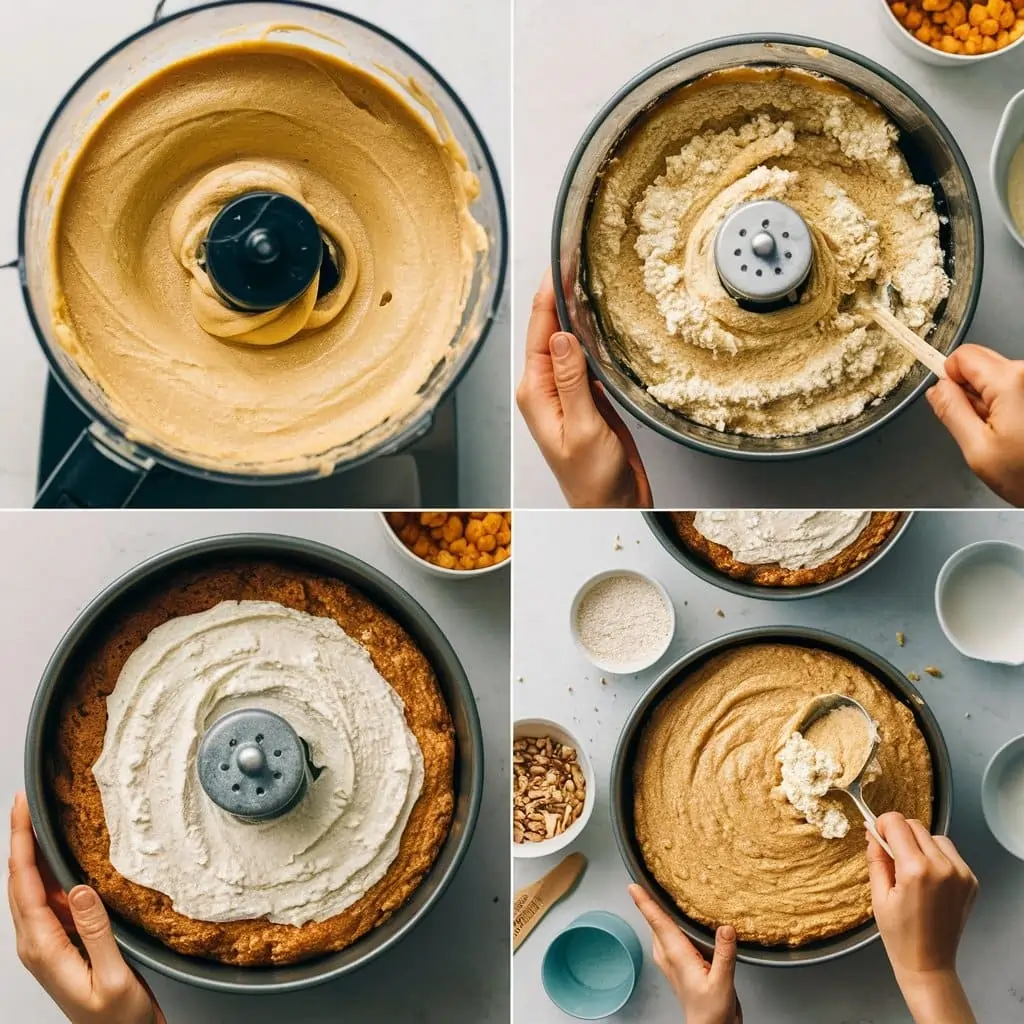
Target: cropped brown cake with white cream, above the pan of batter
{"points": [[785, 547]]}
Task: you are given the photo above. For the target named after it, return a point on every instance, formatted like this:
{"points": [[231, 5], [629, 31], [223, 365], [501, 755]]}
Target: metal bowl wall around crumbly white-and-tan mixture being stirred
{"points": [[932, 154]]}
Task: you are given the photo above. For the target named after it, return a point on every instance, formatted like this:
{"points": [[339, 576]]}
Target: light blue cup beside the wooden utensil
{"points": [[592, 968]]}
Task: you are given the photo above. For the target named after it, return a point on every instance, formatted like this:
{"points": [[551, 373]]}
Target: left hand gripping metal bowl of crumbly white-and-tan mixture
{"points": [[585, 442]]}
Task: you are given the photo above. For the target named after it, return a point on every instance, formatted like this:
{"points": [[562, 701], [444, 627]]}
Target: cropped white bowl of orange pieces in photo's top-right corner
{"points": [[955, 32]]}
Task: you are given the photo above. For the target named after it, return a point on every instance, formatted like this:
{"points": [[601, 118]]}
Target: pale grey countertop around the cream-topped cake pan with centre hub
{"points": [[55, 564]]}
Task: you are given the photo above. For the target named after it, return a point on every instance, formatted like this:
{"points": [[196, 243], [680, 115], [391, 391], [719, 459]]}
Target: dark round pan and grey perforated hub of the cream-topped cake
{"points": [[243, 753]]}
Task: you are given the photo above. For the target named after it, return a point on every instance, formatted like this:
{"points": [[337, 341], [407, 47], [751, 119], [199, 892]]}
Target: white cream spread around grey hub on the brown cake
{"points": [[319, 859]]}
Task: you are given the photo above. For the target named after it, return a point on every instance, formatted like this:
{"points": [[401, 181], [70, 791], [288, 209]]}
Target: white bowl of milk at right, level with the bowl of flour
{"points": [[979, 594]]}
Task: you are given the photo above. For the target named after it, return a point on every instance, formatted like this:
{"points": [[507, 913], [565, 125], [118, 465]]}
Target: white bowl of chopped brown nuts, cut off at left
{"points": [[553, 788]]}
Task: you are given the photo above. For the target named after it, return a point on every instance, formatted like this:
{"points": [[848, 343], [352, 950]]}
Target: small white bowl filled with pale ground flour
{"points": [[623, 621]]}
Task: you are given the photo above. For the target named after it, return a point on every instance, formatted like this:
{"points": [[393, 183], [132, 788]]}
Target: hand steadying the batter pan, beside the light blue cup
{"points": [[706, 992]]}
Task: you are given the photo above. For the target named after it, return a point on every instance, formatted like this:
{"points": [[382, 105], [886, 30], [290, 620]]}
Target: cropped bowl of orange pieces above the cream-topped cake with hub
{"points": [[458, 545]]}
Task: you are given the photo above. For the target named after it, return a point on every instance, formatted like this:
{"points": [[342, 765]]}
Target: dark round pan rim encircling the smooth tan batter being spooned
{"points": [[622, 797]]}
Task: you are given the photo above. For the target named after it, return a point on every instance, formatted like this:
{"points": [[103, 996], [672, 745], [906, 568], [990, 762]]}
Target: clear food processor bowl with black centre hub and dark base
{"points": [[277, 252]]}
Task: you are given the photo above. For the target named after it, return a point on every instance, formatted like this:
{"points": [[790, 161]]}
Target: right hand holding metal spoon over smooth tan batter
{"points": [[922, 901]]}
